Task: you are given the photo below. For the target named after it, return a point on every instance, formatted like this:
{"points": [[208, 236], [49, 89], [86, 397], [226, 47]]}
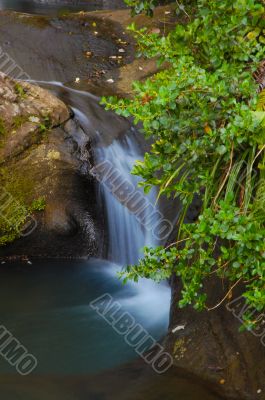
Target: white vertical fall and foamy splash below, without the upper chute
{"points": [[127, 235]]}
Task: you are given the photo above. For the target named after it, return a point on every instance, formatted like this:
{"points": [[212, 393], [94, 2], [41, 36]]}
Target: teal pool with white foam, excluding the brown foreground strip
{"points": [[47, 307]]}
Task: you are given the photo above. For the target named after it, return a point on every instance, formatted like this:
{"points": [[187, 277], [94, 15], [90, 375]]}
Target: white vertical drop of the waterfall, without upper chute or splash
{"points": [[127, 230]]}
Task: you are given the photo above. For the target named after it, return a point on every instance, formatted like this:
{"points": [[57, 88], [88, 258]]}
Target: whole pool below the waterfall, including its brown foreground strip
{"points": [[80, 357]]}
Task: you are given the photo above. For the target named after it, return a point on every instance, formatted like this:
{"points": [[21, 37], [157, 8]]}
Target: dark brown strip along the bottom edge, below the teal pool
{"points": [[139, 382]]}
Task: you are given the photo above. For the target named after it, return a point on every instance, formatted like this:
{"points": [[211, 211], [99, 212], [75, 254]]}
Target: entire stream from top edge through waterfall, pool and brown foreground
{"points": [[46, 305]]}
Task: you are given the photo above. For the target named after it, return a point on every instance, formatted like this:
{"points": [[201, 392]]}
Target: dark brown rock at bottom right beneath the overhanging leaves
{"points": [[211, 347]]}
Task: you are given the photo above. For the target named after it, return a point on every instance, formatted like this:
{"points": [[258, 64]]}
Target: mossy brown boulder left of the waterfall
{"points": [[53, 164]]}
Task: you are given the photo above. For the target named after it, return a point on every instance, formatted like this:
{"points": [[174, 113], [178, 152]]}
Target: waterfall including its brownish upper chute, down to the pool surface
{"points": [[138, 222]]}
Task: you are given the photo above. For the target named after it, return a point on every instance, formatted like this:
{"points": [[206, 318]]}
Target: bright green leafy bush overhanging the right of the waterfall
{"points": [[206, 120]]}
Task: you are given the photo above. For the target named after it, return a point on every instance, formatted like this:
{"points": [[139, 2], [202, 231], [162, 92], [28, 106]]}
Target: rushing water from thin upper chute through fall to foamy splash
{"points": [[126, 235]]}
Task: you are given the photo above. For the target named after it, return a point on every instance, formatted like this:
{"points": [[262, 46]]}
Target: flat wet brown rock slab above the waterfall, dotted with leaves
{"points": [[61, 49]]}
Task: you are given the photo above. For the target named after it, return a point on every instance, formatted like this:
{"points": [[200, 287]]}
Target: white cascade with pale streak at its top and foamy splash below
{"points": [[128, 231]]}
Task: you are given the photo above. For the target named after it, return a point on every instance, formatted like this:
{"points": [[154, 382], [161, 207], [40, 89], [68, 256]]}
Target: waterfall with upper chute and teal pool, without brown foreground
{"points": [[57, 295]]}
